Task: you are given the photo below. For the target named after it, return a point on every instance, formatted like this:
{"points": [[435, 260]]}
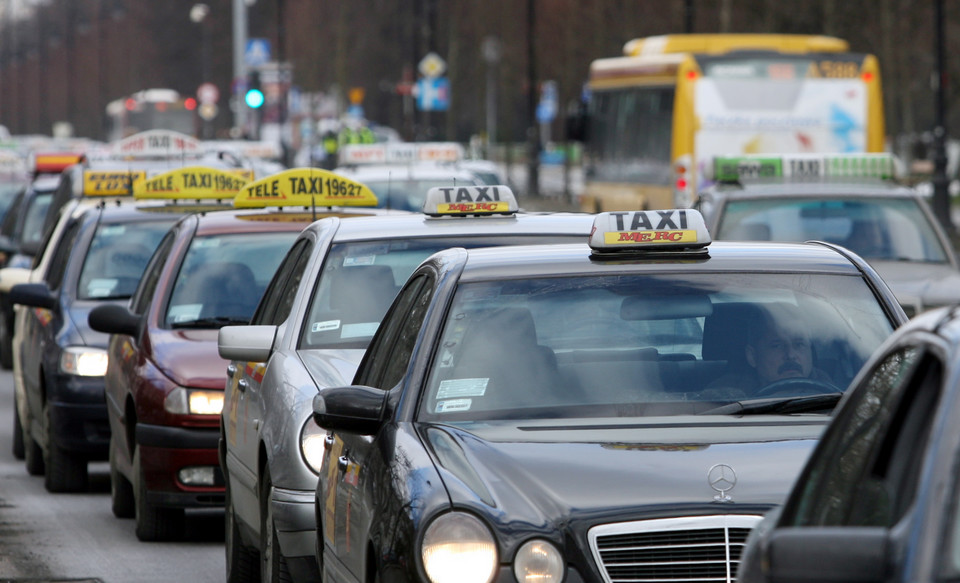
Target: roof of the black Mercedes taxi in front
{"points": [[722, 256]]}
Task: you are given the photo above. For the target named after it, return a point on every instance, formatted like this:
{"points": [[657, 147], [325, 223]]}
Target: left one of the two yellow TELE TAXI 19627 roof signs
{"points": [[191, 183]]}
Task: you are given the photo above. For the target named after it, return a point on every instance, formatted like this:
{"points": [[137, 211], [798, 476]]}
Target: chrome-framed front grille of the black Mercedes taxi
{"points": [[689, 549]]}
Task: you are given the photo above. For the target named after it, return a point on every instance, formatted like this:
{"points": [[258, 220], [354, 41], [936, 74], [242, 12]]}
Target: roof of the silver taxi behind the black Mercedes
{"points": [[418, 225]]}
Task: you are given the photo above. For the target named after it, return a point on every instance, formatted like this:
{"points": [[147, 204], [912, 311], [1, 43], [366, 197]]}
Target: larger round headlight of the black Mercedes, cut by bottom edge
{"points": [[457, 547]]}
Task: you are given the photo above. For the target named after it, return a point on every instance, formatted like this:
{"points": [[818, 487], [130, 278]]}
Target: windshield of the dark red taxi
{"points": [[222, 278]]}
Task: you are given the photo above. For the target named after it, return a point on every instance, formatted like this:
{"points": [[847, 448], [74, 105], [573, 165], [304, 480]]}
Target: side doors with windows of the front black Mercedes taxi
{"points": [[353, 460]]}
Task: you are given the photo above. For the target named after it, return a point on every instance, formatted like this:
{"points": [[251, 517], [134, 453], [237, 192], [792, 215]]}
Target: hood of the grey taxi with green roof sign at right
{"points": [[920, 286]]}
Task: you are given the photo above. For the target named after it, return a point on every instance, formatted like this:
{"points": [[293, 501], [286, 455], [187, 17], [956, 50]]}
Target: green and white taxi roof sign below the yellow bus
{"points": [[804, 166]]}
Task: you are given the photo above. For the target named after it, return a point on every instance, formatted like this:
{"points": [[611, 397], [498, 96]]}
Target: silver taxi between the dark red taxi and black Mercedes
{"points": [[310, 332]]}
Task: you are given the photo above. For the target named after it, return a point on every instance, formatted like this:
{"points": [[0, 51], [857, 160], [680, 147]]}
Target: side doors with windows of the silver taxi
{"points": [[243, 399]]}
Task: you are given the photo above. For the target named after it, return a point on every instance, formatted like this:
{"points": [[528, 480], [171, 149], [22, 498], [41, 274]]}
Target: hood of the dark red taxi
{"points": [[189, 357]]}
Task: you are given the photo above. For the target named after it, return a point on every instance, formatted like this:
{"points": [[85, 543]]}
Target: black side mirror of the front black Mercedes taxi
{"points": [[353, 409]]}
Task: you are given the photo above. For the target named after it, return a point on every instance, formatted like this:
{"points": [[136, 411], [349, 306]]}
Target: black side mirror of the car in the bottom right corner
{"points": [[828, 555]]}
